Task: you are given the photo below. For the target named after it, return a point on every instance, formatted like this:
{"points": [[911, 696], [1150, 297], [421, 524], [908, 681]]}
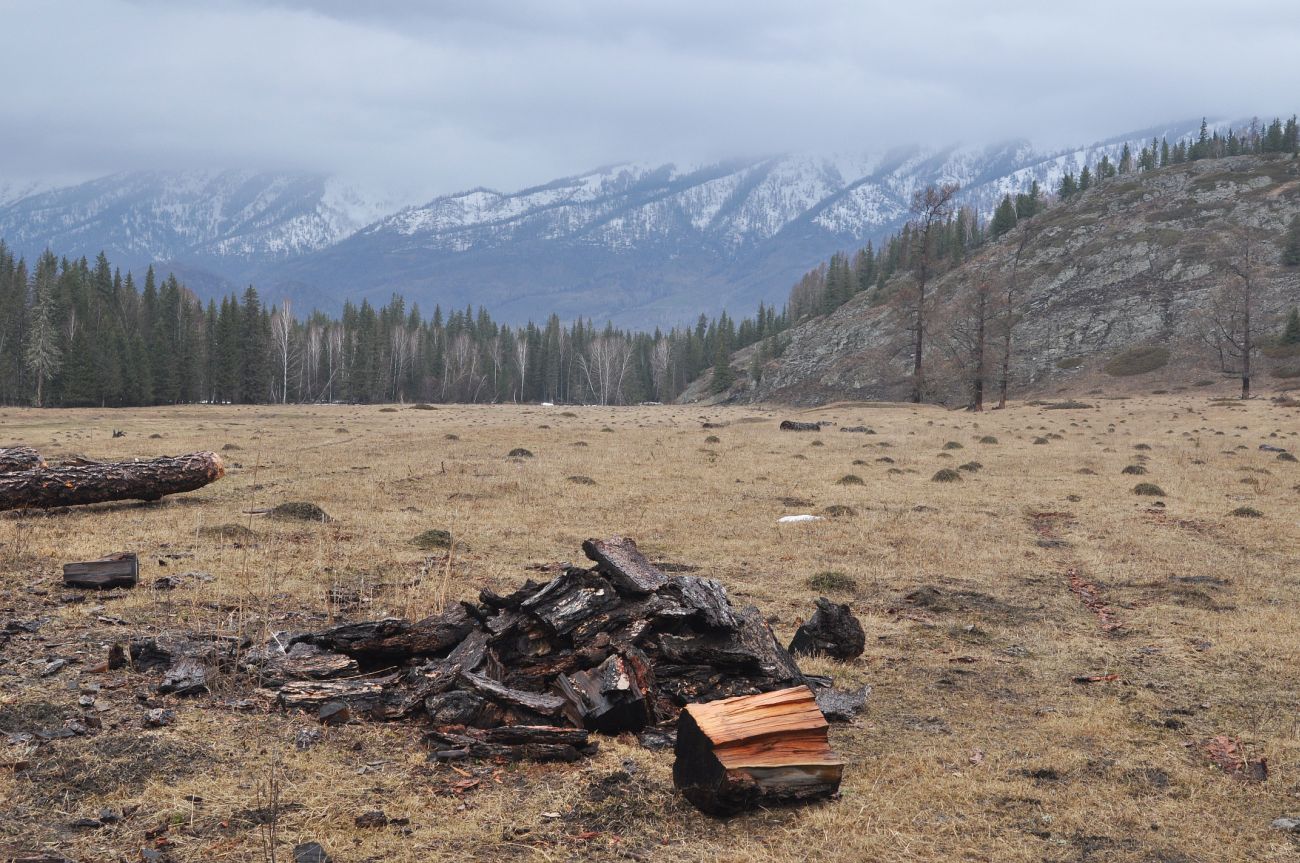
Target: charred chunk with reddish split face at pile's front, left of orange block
{"points": [[614, 697]]}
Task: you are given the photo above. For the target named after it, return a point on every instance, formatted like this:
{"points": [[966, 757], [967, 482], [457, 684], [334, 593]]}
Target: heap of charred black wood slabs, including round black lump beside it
{"points": [[616, 648]]}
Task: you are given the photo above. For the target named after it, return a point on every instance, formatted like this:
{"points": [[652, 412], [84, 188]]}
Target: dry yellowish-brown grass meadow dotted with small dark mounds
{"points": [[978, 744]]}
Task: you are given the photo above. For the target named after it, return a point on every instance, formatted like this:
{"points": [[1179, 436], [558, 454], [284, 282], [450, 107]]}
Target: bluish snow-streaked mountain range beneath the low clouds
{"points": [[643, 245]]}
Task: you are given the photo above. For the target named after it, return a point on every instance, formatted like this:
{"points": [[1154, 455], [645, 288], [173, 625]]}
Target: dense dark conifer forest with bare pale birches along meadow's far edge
{"points": [[76, 333]]}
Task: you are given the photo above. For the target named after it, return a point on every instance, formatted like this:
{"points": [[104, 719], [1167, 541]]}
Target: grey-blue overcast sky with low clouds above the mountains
{"points": [[445, 96]]}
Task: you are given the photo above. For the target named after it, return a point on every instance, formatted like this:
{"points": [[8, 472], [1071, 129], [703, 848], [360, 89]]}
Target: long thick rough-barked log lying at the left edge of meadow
{"points": [[77, 485]]}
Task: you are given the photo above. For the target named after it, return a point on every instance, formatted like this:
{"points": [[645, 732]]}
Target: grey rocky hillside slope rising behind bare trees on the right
{"points": [[1129, 287]]}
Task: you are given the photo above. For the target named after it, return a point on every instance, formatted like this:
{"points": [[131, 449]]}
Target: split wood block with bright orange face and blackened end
{"points": [[755, 751]]}
